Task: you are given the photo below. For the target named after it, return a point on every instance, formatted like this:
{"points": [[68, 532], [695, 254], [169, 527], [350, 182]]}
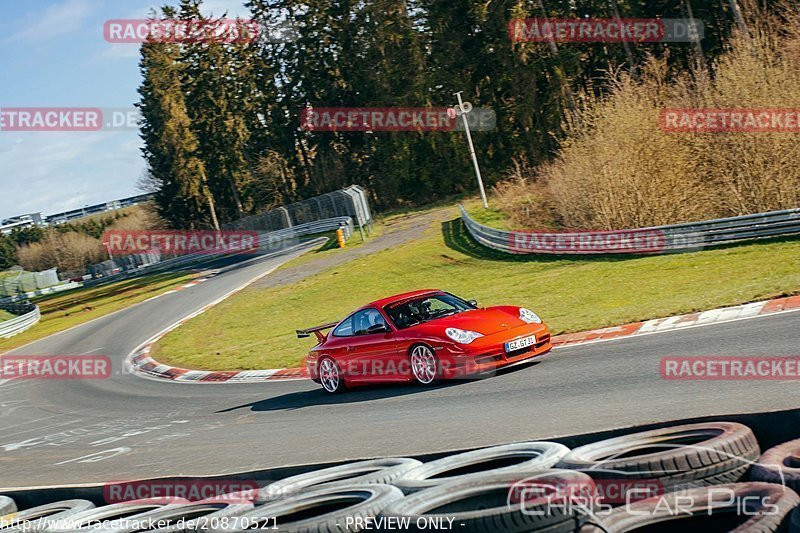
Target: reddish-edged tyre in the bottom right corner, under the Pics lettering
{"points": [[710, 510]]}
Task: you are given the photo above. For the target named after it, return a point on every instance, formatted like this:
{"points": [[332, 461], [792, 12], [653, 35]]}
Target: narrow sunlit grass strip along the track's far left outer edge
{"points": [[64, 310]]}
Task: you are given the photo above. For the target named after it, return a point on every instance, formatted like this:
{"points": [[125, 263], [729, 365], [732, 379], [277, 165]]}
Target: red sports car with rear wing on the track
{"points": [[422, 336]]}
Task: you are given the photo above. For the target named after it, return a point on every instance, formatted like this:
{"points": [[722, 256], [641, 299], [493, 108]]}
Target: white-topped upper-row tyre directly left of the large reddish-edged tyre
{"points": [[521, 457]]}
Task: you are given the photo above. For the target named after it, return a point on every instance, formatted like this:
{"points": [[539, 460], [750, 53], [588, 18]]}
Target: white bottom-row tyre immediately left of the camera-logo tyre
{"points": [[339, 508]]}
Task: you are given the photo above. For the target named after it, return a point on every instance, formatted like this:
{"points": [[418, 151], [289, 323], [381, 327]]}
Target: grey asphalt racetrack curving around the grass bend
{"points": [[127, 427]]}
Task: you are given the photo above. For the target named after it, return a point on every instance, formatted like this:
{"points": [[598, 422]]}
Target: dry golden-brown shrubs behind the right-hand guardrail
{"points": [[618, 169]]}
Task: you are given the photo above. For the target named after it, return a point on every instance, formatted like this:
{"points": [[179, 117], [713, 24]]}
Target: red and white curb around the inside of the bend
{"points": [[142, 363]]}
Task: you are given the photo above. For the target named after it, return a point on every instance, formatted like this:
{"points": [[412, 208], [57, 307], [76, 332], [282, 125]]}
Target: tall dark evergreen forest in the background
{"points": [[221, 120]]}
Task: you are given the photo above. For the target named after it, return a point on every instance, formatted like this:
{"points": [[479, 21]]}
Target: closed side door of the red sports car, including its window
{"points": [[372, 356]]}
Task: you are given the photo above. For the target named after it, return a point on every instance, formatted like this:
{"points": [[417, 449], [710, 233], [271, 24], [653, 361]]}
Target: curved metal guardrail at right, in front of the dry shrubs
{"points": [[686, 237]]}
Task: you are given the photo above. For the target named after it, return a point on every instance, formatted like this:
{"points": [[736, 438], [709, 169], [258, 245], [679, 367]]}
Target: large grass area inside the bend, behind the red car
{"points": [[255, 328]]}
